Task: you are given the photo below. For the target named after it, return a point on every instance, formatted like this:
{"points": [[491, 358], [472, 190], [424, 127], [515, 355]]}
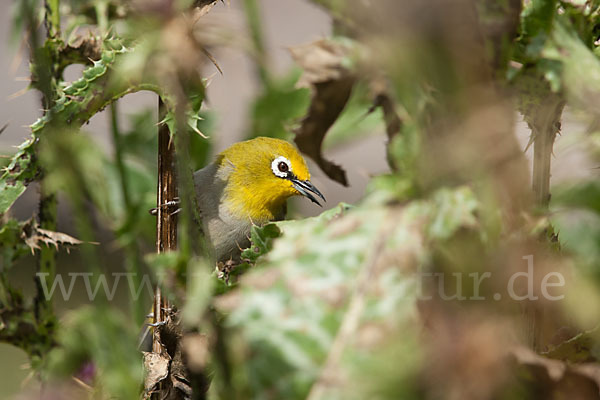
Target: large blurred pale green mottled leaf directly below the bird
{"points": [[292, 307]]}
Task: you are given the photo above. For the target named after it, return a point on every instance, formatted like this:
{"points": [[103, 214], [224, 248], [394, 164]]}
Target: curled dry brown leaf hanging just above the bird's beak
{"points": [[331, 83]]}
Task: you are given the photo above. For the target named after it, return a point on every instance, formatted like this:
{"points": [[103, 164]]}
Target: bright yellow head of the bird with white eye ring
{"points": [[262, 174]]}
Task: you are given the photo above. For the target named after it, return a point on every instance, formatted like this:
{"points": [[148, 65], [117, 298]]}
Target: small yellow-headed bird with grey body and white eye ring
{"points": [[247, 184]]}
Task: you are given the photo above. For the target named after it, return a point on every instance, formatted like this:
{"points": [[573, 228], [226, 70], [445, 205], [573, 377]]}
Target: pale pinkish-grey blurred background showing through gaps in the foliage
{"points": [[358, 145]]}
